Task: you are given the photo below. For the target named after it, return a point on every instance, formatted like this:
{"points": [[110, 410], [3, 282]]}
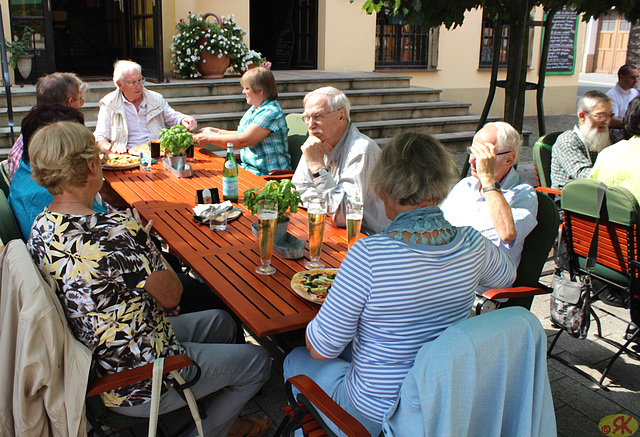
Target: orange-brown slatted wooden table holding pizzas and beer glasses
{"points": [[226, 260]]}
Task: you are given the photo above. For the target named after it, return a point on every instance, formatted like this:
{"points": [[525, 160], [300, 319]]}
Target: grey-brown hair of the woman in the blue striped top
{"points": [[413, 168]]}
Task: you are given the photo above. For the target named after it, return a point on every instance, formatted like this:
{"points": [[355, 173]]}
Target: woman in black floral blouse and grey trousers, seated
{"points": [[116, 288]]}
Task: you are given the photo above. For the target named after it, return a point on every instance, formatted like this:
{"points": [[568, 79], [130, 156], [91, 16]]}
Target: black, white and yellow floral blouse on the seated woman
{"points": [[100, 263]]}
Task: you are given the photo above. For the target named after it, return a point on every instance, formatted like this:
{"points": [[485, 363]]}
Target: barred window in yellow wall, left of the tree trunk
{"points": [[400, 45]]}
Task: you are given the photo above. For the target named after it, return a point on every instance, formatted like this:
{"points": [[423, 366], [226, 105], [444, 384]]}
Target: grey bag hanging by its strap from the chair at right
{"points": [[570, 303]]}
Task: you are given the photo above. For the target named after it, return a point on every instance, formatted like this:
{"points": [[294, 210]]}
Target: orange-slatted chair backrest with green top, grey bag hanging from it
{"points": [[618, 229]]}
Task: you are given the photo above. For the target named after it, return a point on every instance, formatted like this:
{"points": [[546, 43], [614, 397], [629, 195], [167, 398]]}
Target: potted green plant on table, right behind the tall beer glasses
{"points": [[288, 198]]}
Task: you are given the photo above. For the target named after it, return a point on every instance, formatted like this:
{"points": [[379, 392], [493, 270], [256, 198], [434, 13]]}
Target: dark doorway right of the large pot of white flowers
{"points": [[285, 32]]}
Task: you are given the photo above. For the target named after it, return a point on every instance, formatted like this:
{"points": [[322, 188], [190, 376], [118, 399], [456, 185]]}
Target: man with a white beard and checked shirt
{"points": [[575, 151]]}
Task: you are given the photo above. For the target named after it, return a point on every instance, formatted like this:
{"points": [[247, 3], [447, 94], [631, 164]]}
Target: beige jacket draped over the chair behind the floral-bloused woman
{"points": [[48, 366]]}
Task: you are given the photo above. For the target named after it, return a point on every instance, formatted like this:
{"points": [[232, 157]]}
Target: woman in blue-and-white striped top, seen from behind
{"points": [[400, 289]]}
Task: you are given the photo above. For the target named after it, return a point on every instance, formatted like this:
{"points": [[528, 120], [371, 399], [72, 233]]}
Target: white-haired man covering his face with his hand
{"points": [[495, 200]]}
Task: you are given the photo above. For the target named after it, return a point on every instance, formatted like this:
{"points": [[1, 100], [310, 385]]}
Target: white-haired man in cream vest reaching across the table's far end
{"points": [[133, 115]]}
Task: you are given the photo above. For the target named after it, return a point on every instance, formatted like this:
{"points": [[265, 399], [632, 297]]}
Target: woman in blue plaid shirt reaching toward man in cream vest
{"points": [[262, 132]]}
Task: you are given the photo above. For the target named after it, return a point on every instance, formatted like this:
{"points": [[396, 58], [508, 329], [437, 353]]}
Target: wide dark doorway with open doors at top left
{"points": [[87, 36]]}
